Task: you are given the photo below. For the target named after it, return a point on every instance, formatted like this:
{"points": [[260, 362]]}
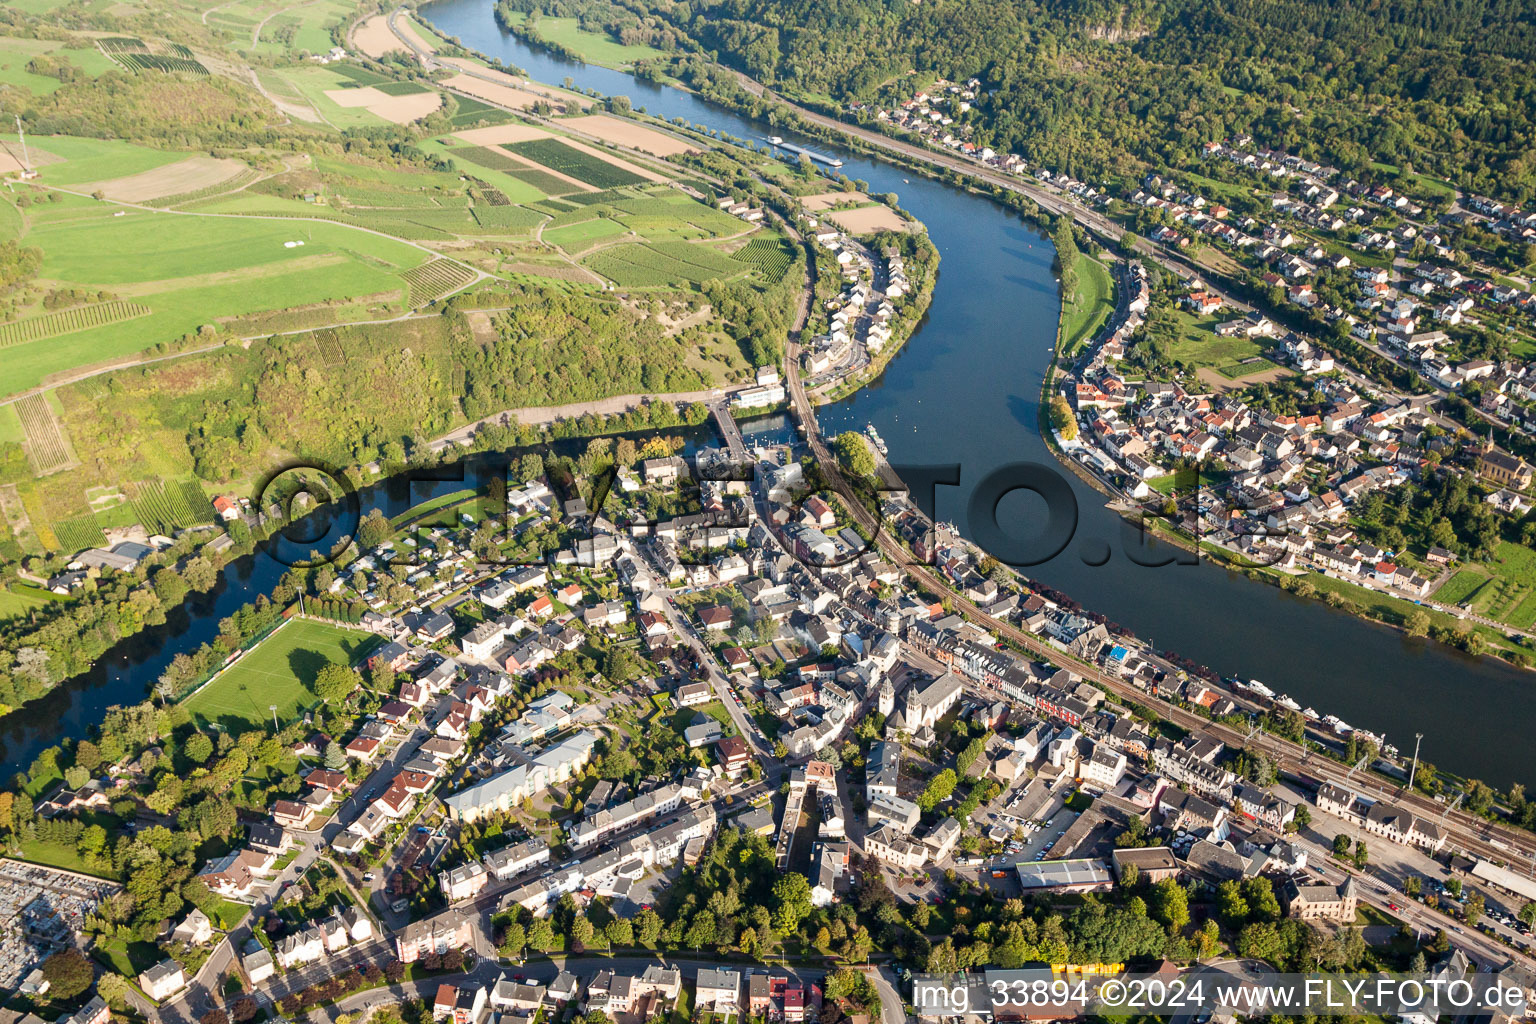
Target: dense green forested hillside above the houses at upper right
{"points": [[1094, 88]]}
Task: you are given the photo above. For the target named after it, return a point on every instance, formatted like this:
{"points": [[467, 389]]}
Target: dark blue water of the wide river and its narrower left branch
{"points": [[965, 391]]}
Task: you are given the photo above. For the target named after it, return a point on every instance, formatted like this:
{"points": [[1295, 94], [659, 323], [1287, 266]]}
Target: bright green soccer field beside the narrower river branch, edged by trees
{"points": [[279, 672]]}
